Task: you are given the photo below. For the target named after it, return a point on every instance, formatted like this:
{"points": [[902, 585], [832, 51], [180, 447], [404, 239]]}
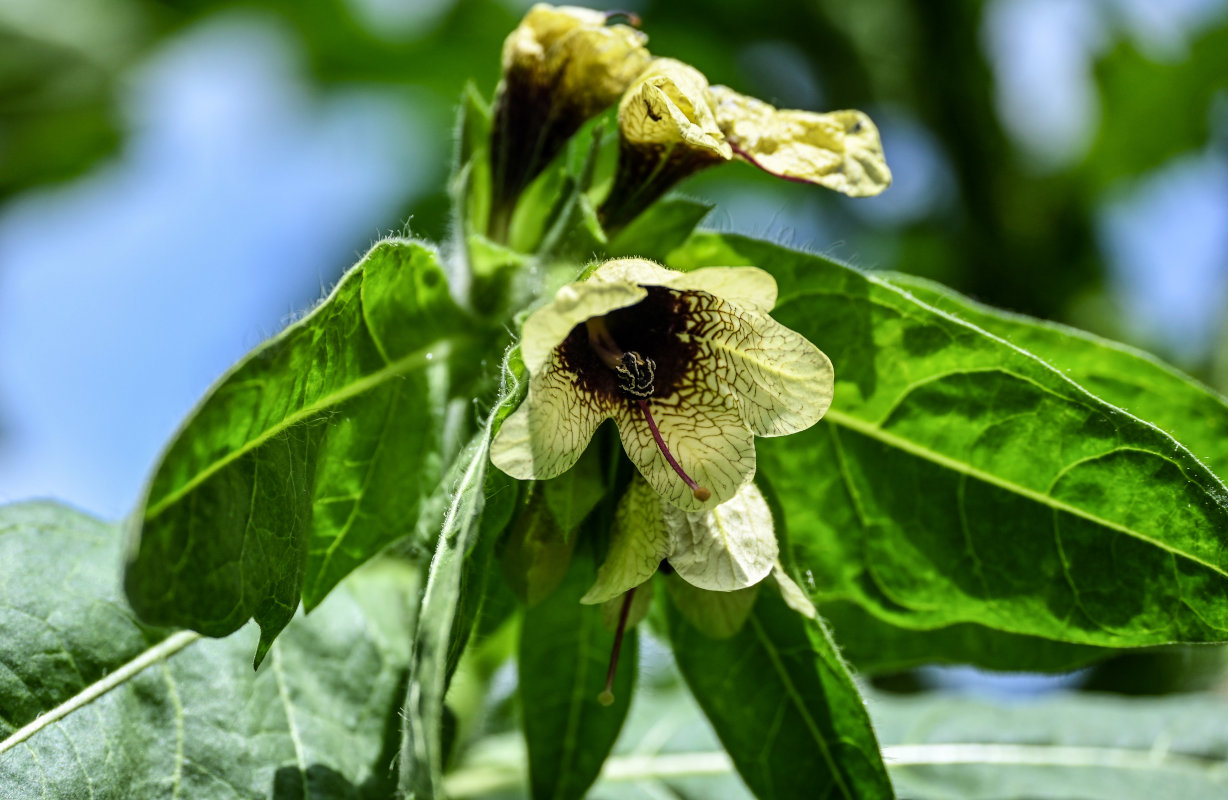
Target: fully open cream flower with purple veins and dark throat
{"points": [[690, 366]]}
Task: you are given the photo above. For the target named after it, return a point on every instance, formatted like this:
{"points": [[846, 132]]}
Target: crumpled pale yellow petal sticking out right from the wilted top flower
{"points": [[841, 151]]}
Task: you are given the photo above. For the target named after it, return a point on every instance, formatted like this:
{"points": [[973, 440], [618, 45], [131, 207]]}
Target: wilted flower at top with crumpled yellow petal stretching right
{"points": [[672, 125]]}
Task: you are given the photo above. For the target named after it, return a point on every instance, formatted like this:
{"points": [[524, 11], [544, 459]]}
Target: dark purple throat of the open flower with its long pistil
{"points": [[633, 356]]}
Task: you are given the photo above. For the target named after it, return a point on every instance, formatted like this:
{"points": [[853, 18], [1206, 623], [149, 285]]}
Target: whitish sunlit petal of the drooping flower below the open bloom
{"points": [[726, 549]]}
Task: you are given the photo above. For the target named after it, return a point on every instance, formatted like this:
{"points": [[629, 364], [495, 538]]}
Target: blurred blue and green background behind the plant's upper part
{"points": [[180, 178]]}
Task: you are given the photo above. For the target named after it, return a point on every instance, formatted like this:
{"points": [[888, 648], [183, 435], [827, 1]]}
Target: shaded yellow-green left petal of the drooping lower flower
{"points": [[639, 543]]}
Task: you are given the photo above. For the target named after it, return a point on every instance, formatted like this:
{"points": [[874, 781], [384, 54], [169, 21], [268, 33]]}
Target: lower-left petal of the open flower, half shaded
{"points": [[551, 431]]}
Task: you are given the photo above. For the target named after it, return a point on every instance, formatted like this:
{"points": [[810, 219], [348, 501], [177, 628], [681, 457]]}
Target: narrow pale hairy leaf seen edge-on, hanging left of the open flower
{"points": [[422, 750]]}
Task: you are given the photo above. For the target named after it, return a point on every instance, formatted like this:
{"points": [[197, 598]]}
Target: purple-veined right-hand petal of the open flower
{"points": [[782, 382]]}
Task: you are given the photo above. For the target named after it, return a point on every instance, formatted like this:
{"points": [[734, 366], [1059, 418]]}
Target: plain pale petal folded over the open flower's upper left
{"points": [[550, 326]]}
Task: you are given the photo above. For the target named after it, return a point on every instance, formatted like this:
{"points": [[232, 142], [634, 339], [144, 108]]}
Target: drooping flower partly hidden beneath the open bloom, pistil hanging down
{"points": [[714, 563]]}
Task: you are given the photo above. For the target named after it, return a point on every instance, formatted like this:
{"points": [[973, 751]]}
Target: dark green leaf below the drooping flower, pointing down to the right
{"points": [[784, 705]]}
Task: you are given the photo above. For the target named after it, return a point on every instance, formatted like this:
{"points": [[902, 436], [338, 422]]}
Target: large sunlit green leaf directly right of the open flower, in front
{"points": [[958, 479]]}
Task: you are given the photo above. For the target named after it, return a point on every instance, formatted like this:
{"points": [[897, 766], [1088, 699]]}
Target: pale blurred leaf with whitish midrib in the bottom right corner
{"points": [[1095, 748]]}
